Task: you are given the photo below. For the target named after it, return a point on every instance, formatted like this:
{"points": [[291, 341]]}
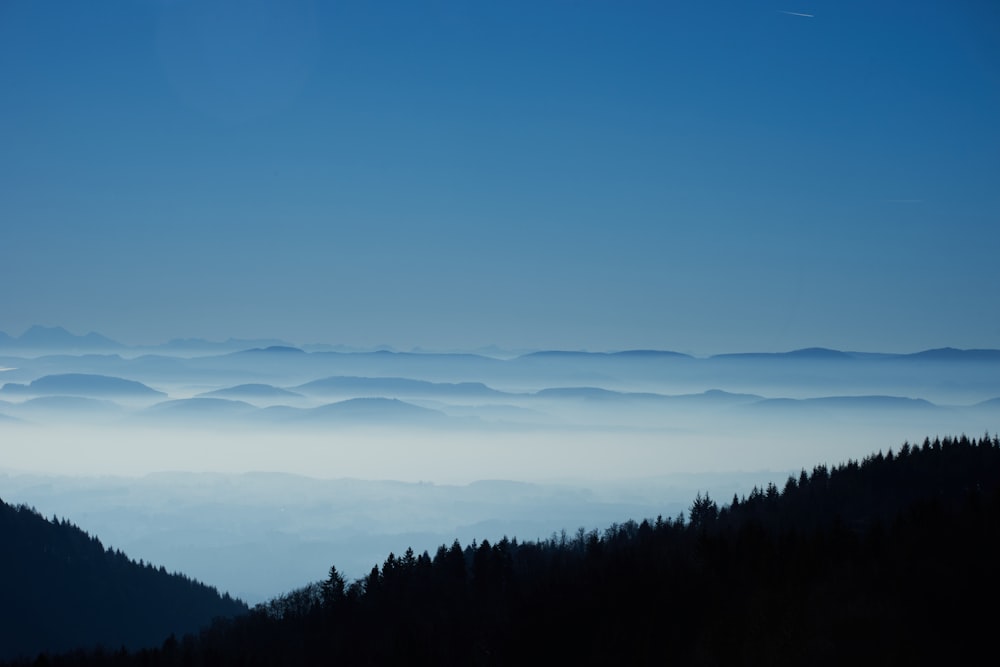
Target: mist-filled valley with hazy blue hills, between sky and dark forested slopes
{"points": [[253, 468]]}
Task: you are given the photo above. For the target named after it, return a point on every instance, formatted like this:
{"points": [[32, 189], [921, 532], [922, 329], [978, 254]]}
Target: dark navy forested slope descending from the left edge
{"points": [[61, 589]]}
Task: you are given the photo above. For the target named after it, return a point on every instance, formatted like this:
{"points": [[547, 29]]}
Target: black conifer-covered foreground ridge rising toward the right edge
{"points": [[890, 560]]}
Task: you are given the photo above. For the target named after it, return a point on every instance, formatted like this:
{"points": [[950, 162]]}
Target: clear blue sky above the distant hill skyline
{"points": [[703, 177]]}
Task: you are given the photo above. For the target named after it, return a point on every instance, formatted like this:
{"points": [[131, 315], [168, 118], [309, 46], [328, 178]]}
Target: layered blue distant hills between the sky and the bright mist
{"points": [[60, 377]]}
